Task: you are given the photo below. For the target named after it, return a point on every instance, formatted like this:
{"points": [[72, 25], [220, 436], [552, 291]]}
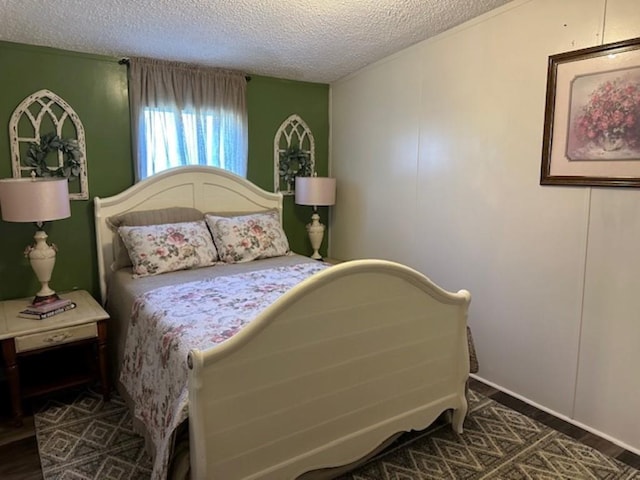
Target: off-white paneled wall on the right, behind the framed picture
{"points": [[437, 154]]}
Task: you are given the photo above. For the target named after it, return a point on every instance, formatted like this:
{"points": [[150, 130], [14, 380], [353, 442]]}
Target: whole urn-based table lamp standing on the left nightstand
{"points": [[37, 200]]}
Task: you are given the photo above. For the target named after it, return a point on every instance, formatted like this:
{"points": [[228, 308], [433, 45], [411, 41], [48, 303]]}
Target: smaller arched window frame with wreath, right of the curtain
{"points": [[294, 150]]}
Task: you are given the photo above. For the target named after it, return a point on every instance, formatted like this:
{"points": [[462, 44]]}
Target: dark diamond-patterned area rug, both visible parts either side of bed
{"points": [[82, 437]]}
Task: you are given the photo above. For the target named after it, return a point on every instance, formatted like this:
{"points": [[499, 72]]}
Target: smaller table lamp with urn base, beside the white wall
{"points": [[317, 192]]}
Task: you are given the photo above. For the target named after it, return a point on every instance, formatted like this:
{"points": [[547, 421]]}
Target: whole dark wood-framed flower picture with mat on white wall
{"points": [[592, 117]]}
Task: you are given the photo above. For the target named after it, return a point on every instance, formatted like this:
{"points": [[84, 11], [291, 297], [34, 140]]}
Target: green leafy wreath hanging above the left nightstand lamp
{"points": [[49, 142]]}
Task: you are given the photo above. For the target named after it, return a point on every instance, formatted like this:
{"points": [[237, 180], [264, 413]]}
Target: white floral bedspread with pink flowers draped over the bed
{"points": [[169, 321]]}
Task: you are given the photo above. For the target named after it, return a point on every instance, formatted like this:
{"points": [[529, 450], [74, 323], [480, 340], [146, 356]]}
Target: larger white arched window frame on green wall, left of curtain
{"points": [[41, 113]]}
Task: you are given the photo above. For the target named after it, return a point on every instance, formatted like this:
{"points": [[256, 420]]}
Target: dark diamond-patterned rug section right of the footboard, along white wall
{"points": [[497, 443]]}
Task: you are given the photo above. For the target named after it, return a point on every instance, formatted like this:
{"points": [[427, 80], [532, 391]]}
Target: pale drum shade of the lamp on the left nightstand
{"points": [[34, 199]]}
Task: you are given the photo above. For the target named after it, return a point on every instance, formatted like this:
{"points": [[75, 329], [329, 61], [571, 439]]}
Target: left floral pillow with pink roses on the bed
{"points": [[155, 249]]}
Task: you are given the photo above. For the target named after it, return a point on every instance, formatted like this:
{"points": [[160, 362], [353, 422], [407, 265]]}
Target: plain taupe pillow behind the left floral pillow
{"points": [[146, 217]]}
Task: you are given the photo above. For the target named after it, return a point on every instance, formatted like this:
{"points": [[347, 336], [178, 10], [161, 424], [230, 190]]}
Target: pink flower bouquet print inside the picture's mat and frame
{"points": [[605, 116]]}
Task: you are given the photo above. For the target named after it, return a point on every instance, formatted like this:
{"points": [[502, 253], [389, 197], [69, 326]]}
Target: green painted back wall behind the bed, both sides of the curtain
{"points": [[96, 87]]}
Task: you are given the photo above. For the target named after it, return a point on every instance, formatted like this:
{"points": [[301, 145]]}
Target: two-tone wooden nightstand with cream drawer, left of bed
{"points": [[41, 356]]}
